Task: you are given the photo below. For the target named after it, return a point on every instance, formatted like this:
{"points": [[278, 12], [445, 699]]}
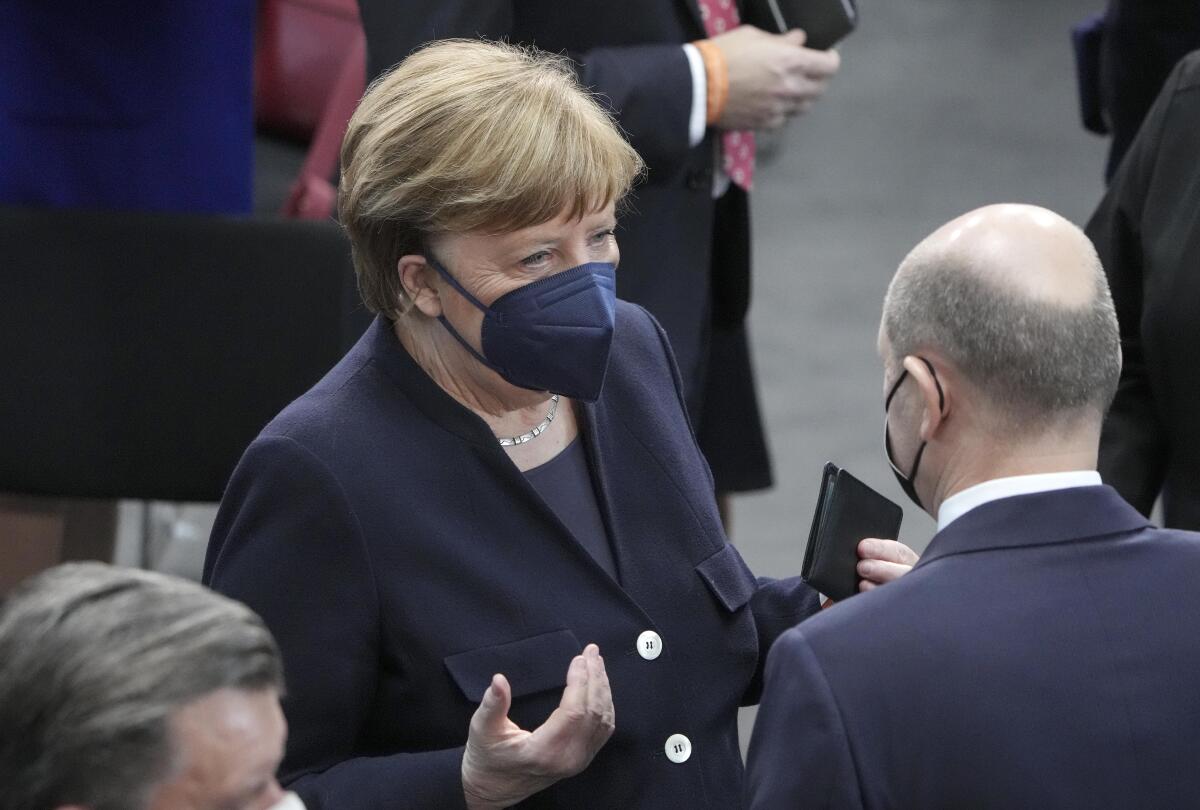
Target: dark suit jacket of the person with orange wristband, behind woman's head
{"points": [[629, 52]]}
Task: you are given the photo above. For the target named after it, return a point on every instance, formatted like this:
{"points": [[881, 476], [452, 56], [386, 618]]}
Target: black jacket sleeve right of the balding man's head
{"points": [[1133, 447]]}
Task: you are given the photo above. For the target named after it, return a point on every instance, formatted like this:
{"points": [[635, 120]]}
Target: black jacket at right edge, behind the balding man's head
{"points": [[1148, 233]]}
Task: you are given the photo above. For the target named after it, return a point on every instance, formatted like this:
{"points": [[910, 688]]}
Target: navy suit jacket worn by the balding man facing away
{"points": [[1042, 655]]}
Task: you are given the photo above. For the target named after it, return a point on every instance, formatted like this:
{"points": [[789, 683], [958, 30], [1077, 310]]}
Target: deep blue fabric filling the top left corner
{"points": [[131, 106]]}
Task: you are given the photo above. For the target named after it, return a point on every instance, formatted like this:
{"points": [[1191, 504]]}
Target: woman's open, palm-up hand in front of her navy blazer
{"points": [[505, 765]]}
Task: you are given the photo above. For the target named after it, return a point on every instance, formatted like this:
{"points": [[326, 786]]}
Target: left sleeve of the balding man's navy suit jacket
{"points": [[800, 755]]}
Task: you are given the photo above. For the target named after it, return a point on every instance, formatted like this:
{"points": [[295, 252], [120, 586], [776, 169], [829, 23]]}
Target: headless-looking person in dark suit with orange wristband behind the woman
{"points": [[689, 81]]}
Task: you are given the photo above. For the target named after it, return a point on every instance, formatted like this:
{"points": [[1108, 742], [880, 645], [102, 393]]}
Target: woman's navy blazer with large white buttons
{"points": [[400, 559]]}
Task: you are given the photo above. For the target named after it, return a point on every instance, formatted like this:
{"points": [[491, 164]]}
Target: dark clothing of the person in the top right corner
{"points": [[1143, 43]]}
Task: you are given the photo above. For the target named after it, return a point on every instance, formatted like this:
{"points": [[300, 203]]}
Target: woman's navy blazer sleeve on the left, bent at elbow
{"points": [[287, 544]]}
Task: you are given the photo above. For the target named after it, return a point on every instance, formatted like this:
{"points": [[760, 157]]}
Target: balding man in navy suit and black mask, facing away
{"points": [[1045, 651]]}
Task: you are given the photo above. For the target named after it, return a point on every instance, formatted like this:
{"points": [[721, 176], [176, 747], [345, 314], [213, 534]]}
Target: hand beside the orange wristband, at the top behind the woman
{"points": [[772, 77]]}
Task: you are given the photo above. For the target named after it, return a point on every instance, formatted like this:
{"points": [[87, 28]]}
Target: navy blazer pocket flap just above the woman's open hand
{"points": [[532, 665]]}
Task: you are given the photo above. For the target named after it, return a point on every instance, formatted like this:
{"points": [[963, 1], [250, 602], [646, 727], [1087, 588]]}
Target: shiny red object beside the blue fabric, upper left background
{"points": [[310, 73]]}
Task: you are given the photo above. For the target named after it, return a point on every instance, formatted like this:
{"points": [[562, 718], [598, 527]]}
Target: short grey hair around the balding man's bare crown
{"points": [[1037, 362]]}
